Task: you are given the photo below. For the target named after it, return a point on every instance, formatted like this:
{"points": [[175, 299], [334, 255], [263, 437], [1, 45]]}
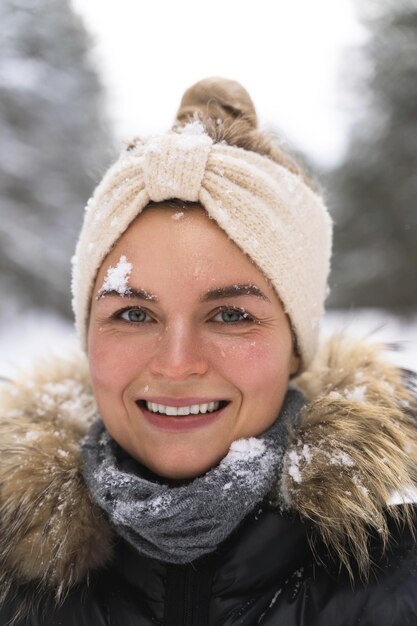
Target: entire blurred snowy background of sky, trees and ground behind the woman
{"points": [[337, 80]]}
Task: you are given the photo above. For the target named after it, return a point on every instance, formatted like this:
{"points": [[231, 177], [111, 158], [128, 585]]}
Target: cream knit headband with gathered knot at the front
{"points": [[270, 213]]}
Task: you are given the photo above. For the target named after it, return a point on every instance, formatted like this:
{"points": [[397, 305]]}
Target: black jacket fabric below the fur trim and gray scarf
{"points": [[264, 574]]}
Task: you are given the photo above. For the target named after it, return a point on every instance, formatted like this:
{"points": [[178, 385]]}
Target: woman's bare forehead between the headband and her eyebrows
{"points": [[173, 249]]}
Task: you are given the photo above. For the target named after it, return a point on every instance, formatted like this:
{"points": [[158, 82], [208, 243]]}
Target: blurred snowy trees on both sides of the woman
{"points": [[55, 141]]}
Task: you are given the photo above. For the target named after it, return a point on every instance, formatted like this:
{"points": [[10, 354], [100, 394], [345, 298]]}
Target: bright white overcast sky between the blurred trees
{"points": [[287, 54]]}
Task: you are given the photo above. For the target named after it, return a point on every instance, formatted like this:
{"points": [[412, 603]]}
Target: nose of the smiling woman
{"points": [[178, 354]]}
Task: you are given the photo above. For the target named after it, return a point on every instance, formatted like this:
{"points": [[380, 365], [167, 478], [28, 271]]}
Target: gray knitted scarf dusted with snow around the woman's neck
{"points": [[178, 524]]}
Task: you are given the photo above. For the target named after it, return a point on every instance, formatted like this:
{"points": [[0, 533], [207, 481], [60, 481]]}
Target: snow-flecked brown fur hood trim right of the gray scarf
{"points": [[355, 448]]}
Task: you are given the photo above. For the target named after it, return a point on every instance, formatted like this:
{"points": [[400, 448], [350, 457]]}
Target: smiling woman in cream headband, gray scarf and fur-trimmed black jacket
{"points": [[212, 467]]}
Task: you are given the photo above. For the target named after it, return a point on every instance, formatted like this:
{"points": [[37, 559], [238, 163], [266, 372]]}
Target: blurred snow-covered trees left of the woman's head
{"points": [[54, 143]]}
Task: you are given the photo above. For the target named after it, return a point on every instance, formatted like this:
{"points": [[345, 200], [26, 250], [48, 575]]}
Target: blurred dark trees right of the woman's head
{"points": [[374, 191]]}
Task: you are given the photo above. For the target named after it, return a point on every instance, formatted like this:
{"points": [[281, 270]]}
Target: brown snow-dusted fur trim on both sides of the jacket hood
{"points": [[355, 445]]}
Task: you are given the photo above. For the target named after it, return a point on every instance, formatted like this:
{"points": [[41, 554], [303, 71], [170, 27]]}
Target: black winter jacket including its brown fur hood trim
{"points": [[285, 565]]}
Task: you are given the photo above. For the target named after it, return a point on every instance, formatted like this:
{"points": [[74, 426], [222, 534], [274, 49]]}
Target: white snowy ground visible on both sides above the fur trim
{"points": [[27, 334]]}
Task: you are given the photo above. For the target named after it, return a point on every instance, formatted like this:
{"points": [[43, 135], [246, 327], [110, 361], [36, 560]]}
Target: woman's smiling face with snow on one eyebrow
{"points": [[196, 354]]}
